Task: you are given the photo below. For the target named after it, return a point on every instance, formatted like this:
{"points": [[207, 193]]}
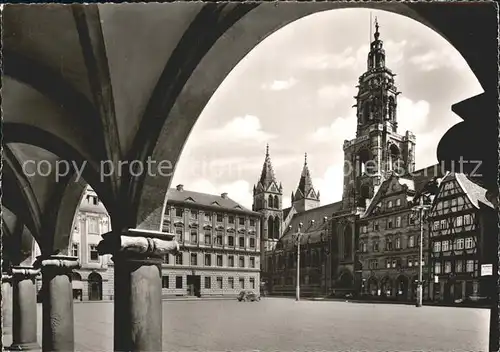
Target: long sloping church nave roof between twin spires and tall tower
{"points": [[311, 231]]}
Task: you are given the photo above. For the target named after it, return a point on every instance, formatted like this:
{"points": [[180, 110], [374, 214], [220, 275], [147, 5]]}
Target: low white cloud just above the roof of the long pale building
{"points": [[239, 190]]}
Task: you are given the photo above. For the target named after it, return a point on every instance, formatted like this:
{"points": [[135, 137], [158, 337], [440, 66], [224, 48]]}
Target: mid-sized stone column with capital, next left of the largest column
{"points": [[57, 302]]}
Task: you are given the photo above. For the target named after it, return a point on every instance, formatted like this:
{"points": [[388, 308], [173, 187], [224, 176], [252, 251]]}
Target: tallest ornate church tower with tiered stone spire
{"points": [[378, 150]]}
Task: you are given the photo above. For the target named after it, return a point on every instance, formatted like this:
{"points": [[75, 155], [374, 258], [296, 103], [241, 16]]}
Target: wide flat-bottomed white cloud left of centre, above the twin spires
{"points": [[238, 130]]}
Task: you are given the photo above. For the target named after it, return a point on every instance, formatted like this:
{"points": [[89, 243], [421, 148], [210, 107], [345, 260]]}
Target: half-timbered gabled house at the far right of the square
{"points": [[460, 219]]}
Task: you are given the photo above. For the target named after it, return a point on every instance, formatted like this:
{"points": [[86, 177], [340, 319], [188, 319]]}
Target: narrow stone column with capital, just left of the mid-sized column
{"points": [[24, 333]]}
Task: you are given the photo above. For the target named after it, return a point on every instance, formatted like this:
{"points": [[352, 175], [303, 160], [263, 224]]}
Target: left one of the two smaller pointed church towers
{"points": [[267, 199]]}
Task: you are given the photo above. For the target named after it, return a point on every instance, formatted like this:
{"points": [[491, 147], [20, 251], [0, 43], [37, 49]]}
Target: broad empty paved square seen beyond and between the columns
{"points": [[278, 324]]}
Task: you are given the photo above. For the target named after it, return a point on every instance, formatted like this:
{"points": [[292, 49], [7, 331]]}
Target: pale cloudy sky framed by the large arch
{"points": [[295, 91]]}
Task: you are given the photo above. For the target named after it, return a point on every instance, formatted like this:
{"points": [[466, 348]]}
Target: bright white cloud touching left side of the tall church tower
{"points": [[341, 129]]}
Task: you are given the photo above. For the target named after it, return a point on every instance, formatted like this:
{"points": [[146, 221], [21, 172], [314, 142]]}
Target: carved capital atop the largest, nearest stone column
{"points": [[145, 243]]}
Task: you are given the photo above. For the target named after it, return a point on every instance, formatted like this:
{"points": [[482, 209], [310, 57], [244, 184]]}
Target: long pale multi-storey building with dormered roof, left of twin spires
{"points": [[219, 245]]}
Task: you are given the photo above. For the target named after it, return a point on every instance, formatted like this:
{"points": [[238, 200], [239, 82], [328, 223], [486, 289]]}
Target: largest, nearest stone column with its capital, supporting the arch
{"points": [[137, 255]]}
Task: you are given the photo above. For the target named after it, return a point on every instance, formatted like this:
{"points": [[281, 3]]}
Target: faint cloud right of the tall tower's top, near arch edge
{"points": [[439, 58]]}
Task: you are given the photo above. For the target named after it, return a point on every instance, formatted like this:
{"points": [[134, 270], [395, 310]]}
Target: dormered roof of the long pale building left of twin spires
{"points": [[205, 200]]}
